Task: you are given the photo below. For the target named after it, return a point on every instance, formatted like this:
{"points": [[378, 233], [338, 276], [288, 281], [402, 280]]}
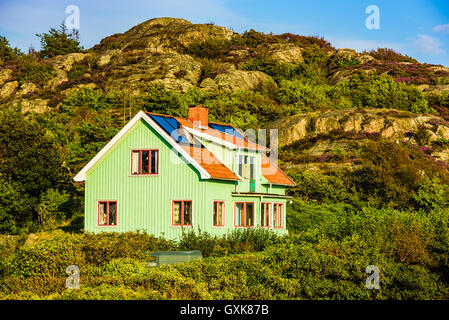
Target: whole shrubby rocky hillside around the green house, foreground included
{"points": [[365, 136]]}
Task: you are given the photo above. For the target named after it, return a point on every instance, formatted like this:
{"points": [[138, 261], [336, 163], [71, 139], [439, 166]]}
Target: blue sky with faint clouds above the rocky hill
{"points": [[418, 28]]}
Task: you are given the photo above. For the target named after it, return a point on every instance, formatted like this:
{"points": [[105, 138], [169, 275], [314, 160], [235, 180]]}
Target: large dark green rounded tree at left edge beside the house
{"points": [[30, 164]]}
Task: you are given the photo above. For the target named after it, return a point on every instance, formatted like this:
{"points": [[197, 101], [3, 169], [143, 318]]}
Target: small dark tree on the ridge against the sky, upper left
{"points": [[59, 42]]}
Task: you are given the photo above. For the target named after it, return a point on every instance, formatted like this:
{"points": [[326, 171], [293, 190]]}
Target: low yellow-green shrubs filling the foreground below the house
{"points": [[324, 257]]}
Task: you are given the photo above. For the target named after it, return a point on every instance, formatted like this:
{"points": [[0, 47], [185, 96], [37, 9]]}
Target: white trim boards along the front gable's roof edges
{"points": [[81, 176]]}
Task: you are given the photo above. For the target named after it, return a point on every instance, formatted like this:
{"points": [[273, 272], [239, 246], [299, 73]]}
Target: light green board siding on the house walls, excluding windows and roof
{"points": [[145, 202]]}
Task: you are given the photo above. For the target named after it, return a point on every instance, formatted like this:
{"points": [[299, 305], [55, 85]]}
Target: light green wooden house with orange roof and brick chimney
{"points": [[161, 174]]}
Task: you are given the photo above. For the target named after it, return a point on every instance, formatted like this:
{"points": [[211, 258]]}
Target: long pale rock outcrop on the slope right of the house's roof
{"points": [[326, 141]]}
